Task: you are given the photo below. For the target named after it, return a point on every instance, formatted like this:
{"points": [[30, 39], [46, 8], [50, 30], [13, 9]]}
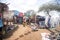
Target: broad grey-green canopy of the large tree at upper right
{"points": [[50, 6]]}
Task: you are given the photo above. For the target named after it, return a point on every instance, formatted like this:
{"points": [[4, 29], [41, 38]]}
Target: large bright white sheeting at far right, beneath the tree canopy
{"points": [[55, 19]]}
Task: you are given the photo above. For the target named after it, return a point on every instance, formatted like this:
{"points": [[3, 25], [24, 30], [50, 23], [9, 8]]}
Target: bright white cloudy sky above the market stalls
{"points": [[25, 5]]}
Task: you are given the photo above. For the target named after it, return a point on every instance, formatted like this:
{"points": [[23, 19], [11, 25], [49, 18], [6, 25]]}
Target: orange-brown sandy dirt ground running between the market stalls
{"points": [[25, 33]]}
